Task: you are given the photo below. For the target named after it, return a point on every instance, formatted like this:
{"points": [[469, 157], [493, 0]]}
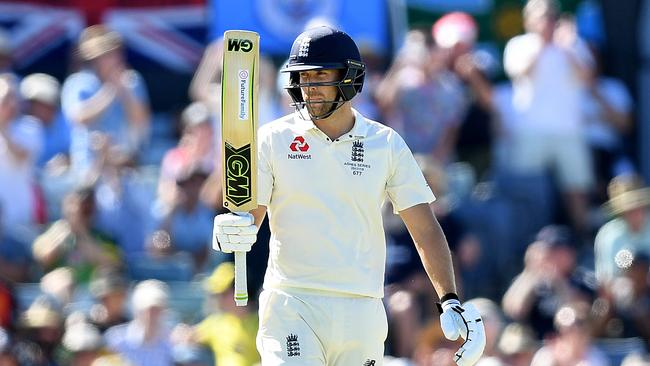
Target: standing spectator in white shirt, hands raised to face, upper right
{"points": [[549, 67]]}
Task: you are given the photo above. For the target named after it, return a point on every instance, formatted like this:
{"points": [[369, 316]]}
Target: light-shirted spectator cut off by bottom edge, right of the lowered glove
{"points": [[572, 345]]}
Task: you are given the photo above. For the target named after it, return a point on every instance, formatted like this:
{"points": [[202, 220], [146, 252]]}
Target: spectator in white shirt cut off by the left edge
{"points": [[20, 145]]}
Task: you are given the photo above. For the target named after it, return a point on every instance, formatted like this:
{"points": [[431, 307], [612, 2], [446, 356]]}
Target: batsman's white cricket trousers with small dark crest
{"points": [[316, 329]]}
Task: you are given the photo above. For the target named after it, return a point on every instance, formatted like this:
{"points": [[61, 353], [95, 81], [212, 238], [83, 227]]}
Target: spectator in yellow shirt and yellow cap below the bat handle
{"points": [[230, 330]]}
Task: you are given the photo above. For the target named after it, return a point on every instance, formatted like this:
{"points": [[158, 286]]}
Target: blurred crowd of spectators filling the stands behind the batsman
{"points": [[105, 254]]}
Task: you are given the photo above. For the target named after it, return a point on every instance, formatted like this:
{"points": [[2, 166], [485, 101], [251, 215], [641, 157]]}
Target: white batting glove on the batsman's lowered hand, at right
{"points": [[464, 321]]}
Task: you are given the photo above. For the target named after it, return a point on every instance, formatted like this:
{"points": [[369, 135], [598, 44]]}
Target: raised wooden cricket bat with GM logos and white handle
{"points": [[239, 87]]}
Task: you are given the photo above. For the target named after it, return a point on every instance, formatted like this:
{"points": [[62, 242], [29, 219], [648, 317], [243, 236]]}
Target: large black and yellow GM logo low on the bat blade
{"points": [[238, 174]]}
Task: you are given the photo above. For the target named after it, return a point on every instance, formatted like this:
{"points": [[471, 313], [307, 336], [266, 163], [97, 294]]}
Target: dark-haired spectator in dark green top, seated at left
{"points": [[74, 242]]}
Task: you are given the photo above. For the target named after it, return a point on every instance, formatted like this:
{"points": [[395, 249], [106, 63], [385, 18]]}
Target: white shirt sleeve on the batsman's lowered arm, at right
{"points": [[406, 186]]}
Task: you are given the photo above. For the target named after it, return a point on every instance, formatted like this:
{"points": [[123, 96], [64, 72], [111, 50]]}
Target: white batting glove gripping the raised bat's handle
{"points": [[234, 232]]}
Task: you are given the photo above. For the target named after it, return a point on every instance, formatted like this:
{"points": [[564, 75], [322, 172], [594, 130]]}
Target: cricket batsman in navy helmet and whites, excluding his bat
{"points": [[324, 173]]}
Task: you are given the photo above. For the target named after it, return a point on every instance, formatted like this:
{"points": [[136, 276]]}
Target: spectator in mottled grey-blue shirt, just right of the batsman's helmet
{"points": [[424, 101]]}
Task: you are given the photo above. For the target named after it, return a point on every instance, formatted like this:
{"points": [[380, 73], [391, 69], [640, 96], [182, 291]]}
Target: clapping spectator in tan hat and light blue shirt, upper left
{"points": [[106, 96]]}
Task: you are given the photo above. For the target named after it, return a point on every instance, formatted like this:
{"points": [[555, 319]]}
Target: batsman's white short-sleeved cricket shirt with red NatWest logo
{"points": [[324, 202]]}
